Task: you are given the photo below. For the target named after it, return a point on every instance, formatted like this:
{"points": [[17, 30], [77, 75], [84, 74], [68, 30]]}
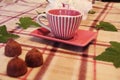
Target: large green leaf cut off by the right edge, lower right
{"points": [[111, 54]]}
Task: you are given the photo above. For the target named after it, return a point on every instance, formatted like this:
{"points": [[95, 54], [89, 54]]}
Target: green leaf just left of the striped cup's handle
{"points": [[26, 22]]}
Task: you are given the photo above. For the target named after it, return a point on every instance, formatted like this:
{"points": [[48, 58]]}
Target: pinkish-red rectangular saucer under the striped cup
{"points": [[82, 37]]}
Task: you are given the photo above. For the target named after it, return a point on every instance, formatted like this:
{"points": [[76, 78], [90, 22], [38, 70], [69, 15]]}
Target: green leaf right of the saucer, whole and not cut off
{"points": [[106, 26]]}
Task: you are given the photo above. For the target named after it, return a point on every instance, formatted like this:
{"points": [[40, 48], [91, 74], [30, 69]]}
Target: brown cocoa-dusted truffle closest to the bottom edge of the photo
{"points": [[16, 67]]}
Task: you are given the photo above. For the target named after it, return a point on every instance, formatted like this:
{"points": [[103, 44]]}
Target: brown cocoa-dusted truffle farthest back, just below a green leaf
{"points": [[12, 48]]}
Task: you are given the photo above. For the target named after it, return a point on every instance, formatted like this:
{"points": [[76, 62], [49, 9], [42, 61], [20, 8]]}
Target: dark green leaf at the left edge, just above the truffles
{"points": [[4, 35]]}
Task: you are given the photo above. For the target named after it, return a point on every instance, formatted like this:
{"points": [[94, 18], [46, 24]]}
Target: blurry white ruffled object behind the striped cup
{"points": [[81, 5]]}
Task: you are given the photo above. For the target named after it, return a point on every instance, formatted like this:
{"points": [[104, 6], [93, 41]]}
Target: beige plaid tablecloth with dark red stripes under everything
{"points": [[62, 61]]}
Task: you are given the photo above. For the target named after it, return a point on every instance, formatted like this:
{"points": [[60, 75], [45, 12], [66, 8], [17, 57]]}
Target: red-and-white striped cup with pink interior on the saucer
{"points": [[62, 23]]}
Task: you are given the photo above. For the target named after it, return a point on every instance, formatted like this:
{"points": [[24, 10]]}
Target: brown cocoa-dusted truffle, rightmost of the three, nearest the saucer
{"points": [[34, 58]]}
